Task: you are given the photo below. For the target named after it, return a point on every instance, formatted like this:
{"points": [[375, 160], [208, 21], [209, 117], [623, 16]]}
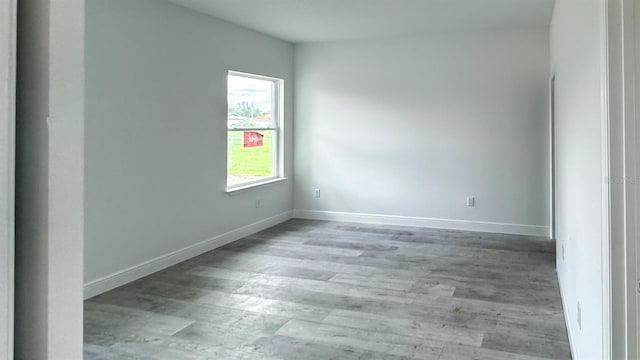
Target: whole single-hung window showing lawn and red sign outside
{"points": [[254, 119]]}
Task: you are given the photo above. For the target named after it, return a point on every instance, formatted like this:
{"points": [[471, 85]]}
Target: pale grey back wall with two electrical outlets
{"points": [[410, 127]]}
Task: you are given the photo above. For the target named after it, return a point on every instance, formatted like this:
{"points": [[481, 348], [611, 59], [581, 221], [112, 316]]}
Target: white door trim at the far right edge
{"points": [[620, 107]]}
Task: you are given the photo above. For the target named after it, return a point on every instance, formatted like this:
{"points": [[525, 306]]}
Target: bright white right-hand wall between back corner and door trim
{"points": [[576, 60]]}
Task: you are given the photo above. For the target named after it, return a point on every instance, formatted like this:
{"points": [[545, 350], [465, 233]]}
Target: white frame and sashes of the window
{"points": [[277, 148]]}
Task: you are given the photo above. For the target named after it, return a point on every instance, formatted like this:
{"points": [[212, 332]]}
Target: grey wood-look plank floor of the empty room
{"points": [[325, 290]]}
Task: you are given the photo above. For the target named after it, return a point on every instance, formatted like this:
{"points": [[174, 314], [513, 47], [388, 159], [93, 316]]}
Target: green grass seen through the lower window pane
{"points": [[255, 161]]}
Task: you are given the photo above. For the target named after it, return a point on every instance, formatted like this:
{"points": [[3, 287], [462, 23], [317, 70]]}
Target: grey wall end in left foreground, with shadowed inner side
{"points": [[49, 178]]}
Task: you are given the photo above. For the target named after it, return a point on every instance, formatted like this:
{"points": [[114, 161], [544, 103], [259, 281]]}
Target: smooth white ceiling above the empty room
{"points": [[329, 20]]}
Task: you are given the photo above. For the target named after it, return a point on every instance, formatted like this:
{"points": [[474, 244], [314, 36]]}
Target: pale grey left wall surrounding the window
{"points": [[156, 130]]}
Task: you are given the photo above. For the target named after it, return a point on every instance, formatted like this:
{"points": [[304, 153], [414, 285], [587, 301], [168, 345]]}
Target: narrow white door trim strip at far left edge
{"points": [[7, 173]]}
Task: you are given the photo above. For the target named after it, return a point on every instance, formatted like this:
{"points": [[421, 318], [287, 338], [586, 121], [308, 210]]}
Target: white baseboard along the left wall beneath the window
{"points": [[136, 272]]}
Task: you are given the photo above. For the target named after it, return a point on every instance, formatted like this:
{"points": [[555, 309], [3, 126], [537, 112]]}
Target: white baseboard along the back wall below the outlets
{"points": [[480, 226]]}
